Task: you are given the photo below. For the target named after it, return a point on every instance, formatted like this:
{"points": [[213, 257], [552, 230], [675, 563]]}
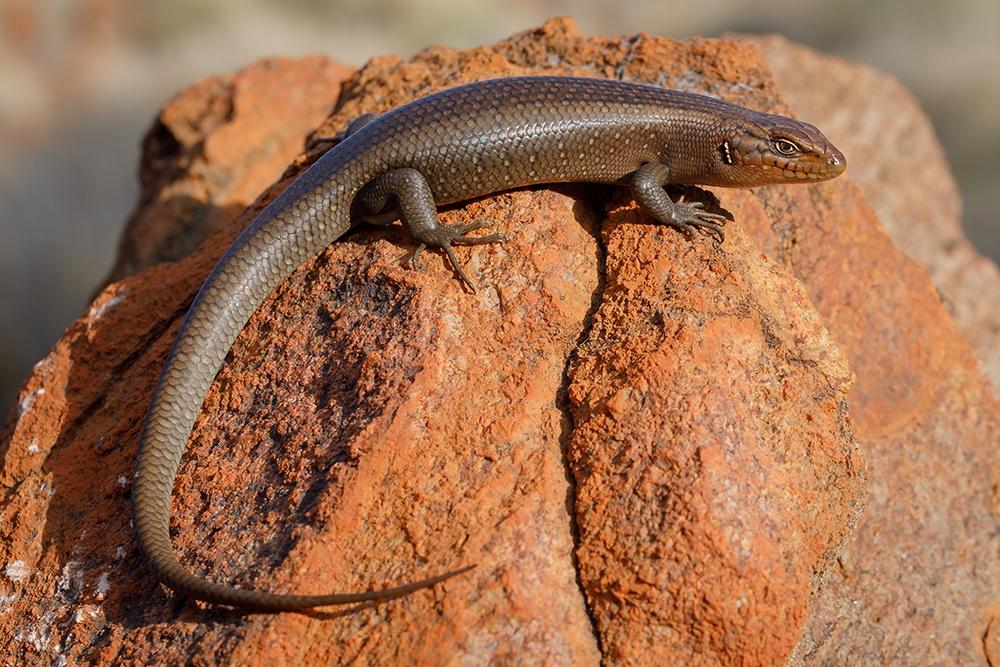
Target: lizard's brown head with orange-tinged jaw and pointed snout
{"points": [[766, 149]]}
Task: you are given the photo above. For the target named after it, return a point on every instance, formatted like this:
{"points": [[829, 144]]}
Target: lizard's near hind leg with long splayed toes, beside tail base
{"points": [[414, 204]]}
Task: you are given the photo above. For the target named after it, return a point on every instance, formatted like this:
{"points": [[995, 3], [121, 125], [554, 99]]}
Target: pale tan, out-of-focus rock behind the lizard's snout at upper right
{"points": [[899, 163]]}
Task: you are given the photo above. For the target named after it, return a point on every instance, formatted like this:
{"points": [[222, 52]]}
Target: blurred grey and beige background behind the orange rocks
{"points": [[80, 80]]}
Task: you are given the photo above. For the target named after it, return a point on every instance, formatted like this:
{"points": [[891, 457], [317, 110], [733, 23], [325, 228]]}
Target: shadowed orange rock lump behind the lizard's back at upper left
{"points": [[215, 147]]}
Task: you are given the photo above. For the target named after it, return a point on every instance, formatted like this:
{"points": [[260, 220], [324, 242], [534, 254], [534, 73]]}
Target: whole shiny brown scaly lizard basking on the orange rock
{"points": [[457, 144]]}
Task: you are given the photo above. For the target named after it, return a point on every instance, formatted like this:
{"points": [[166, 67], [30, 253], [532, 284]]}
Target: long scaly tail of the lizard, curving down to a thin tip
{"points": [[264, 255]]}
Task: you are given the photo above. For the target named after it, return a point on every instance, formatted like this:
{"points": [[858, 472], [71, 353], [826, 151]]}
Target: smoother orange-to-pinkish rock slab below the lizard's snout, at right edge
{"points": [[918, 581]]}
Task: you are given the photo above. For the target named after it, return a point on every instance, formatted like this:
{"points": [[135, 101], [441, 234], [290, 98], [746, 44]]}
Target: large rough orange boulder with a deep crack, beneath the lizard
{"points": [[642, 442]]}
